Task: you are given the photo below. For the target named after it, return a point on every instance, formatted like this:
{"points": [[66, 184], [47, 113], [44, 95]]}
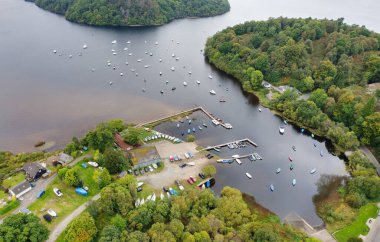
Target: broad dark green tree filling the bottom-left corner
{"points": [[22, 227]]}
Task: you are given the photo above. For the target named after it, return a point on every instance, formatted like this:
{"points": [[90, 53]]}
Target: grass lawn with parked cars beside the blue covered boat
{"points": [[70, 200]]}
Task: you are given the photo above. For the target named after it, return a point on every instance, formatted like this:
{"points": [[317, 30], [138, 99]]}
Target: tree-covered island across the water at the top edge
{"points": [[132, 12]]}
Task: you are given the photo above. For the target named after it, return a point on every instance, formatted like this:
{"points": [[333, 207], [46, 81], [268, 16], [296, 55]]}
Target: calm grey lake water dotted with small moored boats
{"points": [[47, 96]]}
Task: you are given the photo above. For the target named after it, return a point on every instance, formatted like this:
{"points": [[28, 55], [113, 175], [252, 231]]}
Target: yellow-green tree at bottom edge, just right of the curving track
{"points": [[82, 228]]}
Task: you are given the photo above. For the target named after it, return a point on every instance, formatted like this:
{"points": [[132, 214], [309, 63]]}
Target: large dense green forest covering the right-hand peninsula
{"points": [[329, 61]]}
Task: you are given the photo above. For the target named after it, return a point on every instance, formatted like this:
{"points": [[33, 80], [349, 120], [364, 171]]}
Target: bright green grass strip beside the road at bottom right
{"points": [[359, 225]]}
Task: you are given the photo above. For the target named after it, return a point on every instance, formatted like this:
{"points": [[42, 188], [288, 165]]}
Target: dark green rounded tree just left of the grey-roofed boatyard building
{"points": [[114, 160]]}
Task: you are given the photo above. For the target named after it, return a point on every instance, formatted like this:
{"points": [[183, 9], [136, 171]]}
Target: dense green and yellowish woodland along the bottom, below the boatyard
{"points": [[194, 215]]}
